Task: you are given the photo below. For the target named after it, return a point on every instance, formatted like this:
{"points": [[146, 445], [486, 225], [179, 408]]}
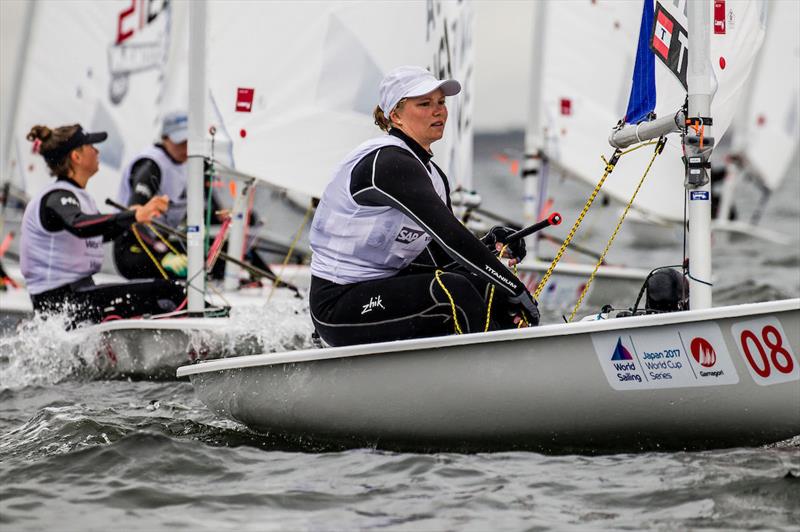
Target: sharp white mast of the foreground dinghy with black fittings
{"points": [[698, 145]]}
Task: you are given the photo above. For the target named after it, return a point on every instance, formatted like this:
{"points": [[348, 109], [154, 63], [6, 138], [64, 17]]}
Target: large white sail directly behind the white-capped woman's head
{"points": [[293, 85]]}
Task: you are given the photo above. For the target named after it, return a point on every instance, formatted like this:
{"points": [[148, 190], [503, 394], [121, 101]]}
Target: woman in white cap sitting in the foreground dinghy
{"points": [[390, 260]]}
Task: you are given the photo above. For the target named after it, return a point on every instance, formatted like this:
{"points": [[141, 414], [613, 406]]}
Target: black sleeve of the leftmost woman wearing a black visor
{"points": [[61, 209]]}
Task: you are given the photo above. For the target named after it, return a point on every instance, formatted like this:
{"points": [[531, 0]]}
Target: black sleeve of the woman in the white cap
{"points": [[392, 177]]}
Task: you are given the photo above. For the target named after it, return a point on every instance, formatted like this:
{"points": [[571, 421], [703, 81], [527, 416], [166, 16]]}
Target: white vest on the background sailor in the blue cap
{"points": [[173, 184]]}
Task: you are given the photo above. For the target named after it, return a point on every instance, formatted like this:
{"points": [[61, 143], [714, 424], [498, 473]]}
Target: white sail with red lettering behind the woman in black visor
{"points": [[100, 64]]}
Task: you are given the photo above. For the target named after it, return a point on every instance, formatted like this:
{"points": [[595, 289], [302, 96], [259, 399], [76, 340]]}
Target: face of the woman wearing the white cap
{"points": [[422, 118]]}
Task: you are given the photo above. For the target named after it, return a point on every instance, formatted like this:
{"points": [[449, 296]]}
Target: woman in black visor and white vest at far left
{"points": [[63, 233]]}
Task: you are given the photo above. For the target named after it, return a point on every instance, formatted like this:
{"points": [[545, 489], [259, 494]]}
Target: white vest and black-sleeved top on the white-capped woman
{"points": [[387, 204]]}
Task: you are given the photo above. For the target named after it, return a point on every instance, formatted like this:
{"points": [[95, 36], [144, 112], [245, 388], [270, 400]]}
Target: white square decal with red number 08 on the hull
{"points": [[766, 351]]}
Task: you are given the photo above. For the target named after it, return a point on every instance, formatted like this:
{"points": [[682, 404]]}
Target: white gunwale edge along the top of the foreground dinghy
{"points": [[559, 329]]}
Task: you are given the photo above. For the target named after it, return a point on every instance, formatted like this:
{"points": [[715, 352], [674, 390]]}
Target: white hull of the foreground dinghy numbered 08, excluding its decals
{"points": [[539, 389]]}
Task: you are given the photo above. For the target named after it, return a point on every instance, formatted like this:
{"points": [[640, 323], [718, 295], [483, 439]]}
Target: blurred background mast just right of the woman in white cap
{"points": [[534, 165]]}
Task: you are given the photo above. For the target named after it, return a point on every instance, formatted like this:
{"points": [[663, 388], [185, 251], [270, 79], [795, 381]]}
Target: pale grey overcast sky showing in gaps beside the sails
{"points": [[502, 53]]}
